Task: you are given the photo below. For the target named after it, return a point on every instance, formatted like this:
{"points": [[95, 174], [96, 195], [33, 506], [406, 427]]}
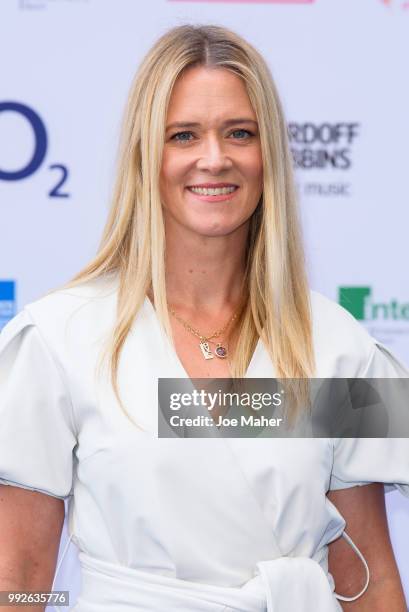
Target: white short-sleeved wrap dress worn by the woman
{"points": [[183, 525]]}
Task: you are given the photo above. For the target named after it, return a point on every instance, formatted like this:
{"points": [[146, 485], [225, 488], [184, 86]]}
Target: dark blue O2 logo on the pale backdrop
{"points": [[40, 149]]}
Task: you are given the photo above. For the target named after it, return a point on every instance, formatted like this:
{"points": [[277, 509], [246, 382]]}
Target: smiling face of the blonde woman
{"points": [[215, 146]]}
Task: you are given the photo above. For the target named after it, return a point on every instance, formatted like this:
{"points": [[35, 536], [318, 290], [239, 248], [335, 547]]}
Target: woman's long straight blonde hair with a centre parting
{"points": [[133, 240]]}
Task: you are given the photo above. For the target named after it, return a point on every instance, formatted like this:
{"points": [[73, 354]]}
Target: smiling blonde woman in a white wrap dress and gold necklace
{"points": [[199, 524]]}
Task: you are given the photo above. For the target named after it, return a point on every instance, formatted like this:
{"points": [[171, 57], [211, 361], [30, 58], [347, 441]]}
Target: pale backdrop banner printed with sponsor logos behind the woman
{"points": [[342, 69]]}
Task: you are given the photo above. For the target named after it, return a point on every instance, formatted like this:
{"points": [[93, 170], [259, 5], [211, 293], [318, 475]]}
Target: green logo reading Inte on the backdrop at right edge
{"points": [[359, 301]]}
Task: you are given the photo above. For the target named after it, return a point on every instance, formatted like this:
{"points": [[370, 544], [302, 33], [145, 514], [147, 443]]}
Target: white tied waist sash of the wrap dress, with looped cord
{"points": [[284, 583]]}
